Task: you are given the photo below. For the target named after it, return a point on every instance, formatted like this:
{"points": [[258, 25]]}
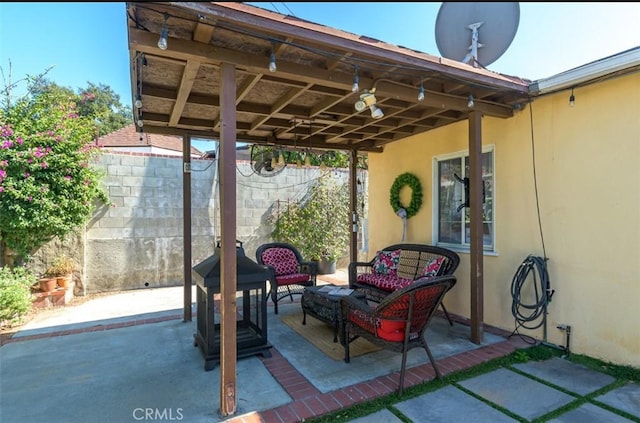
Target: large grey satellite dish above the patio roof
{"points": [[477, 33]]}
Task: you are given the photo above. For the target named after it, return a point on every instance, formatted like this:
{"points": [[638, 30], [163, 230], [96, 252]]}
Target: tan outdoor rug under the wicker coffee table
{"points": [[320, 334]]}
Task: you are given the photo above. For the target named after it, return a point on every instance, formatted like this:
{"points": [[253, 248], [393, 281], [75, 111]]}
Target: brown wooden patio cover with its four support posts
{"points": [[234, 72]]}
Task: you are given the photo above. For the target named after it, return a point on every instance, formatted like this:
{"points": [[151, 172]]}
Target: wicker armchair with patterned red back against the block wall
{"points": [[290, 274]]}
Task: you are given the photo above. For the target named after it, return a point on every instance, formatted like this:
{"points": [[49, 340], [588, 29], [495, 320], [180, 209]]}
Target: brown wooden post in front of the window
{"points": [[475, 226]]}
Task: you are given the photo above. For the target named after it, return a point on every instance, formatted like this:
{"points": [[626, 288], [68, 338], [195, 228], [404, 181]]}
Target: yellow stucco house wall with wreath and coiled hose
{"points": [[588, 177]]}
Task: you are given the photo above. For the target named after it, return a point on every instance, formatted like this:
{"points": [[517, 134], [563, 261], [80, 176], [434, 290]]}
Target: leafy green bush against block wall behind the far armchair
{"points": [[318, 225]]}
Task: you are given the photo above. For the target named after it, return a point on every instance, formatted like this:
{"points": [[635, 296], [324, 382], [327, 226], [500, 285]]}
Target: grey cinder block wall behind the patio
{"points": [[138, 243]]}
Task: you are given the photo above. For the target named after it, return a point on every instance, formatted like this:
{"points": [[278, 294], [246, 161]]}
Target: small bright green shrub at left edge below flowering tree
{"points": [[15, 293]]}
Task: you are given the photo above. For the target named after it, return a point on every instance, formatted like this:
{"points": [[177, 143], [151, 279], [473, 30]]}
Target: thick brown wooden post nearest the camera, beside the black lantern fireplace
{"points": [[228, 257]]}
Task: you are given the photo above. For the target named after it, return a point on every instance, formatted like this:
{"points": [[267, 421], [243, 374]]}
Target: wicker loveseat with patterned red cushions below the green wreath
{"points": [[397, 266]]}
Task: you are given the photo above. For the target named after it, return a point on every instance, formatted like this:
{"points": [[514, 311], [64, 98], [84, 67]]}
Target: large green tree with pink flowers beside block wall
{"points": [[47, 186]]}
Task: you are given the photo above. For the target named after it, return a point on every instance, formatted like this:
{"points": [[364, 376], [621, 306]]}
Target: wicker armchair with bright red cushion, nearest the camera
{"points": [[398, 322]]}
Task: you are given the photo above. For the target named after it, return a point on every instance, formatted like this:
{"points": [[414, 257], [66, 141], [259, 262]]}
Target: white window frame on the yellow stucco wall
{"points": [[462, 247]]}
